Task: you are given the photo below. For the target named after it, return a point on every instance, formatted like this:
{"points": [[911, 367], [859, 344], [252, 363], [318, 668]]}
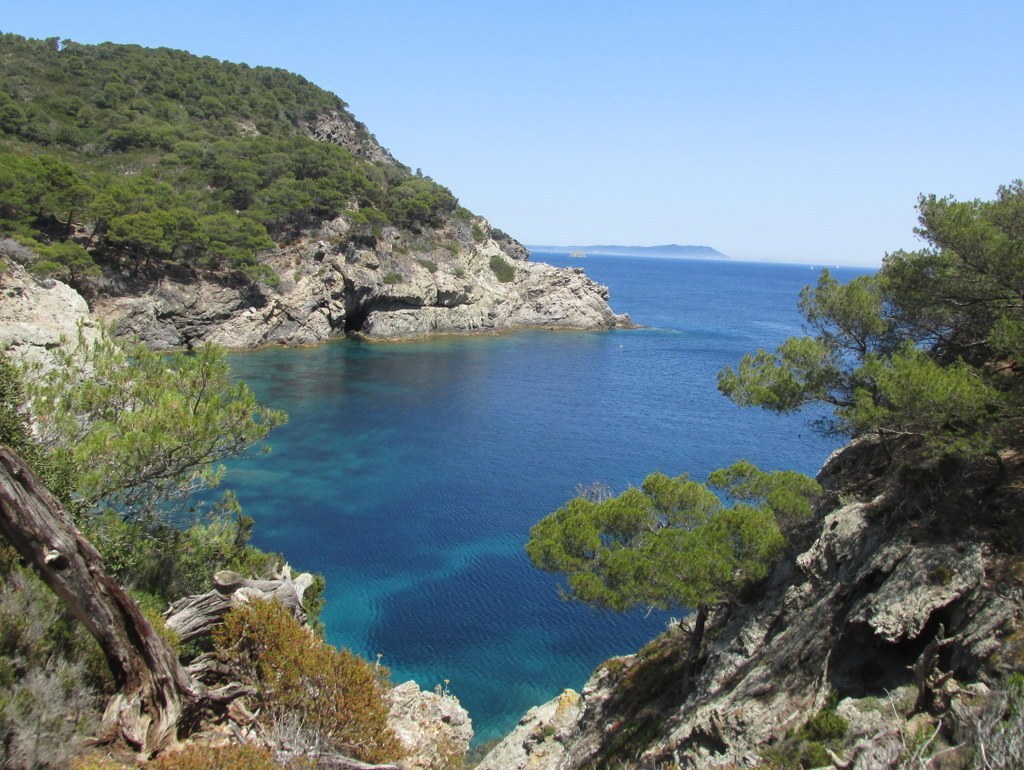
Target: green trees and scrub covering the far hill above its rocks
{"points": [[118, 156]]}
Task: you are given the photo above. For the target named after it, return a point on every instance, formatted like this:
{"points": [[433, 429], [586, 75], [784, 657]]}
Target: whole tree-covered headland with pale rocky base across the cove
{"points": [[198, 201]]}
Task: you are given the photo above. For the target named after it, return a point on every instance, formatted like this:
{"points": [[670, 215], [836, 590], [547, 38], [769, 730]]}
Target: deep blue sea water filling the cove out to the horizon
{"points": [[410, 475]]}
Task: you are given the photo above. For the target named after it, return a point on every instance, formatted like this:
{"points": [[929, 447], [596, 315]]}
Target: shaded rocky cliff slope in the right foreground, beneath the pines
{"points": [[885, 641]]}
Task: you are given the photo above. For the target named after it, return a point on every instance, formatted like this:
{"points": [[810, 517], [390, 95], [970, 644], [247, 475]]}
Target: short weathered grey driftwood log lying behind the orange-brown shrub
{"points": [[196, 616]]}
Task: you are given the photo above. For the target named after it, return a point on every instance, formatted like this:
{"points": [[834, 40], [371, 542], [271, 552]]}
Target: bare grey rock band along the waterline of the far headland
{"points": [[330, 286]]}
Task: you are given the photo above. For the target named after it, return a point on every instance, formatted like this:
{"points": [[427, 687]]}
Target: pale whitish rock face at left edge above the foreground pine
{"points": [[37, 314]]}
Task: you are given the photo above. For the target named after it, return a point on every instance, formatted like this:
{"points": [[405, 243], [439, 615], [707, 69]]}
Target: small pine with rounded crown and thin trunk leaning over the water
{"points": [[674, 542]]}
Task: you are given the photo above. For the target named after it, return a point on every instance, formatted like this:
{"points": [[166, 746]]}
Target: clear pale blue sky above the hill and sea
{"points": [[789, 132]]}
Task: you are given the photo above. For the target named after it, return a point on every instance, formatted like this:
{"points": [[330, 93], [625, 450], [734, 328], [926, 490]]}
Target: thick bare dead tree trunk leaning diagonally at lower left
{"points": [[155, 692]]}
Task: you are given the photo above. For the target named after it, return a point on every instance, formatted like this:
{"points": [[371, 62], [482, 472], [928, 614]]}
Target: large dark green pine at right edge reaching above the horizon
{"points": [[927, 353]]}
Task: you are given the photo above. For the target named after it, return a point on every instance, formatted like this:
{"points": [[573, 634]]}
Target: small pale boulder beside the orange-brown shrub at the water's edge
{"points": [[434, 728]]}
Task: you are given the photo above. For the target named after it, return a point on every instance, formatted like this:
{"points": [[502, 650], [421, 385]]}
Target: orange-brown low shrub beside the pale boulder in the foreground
{"points": [[338, 698]]}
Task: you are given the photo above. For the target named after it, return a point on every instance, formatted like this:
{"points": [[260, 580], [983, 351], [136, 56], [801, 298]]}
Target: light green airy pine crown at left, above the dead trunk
{"points": [[145, 432]]}
